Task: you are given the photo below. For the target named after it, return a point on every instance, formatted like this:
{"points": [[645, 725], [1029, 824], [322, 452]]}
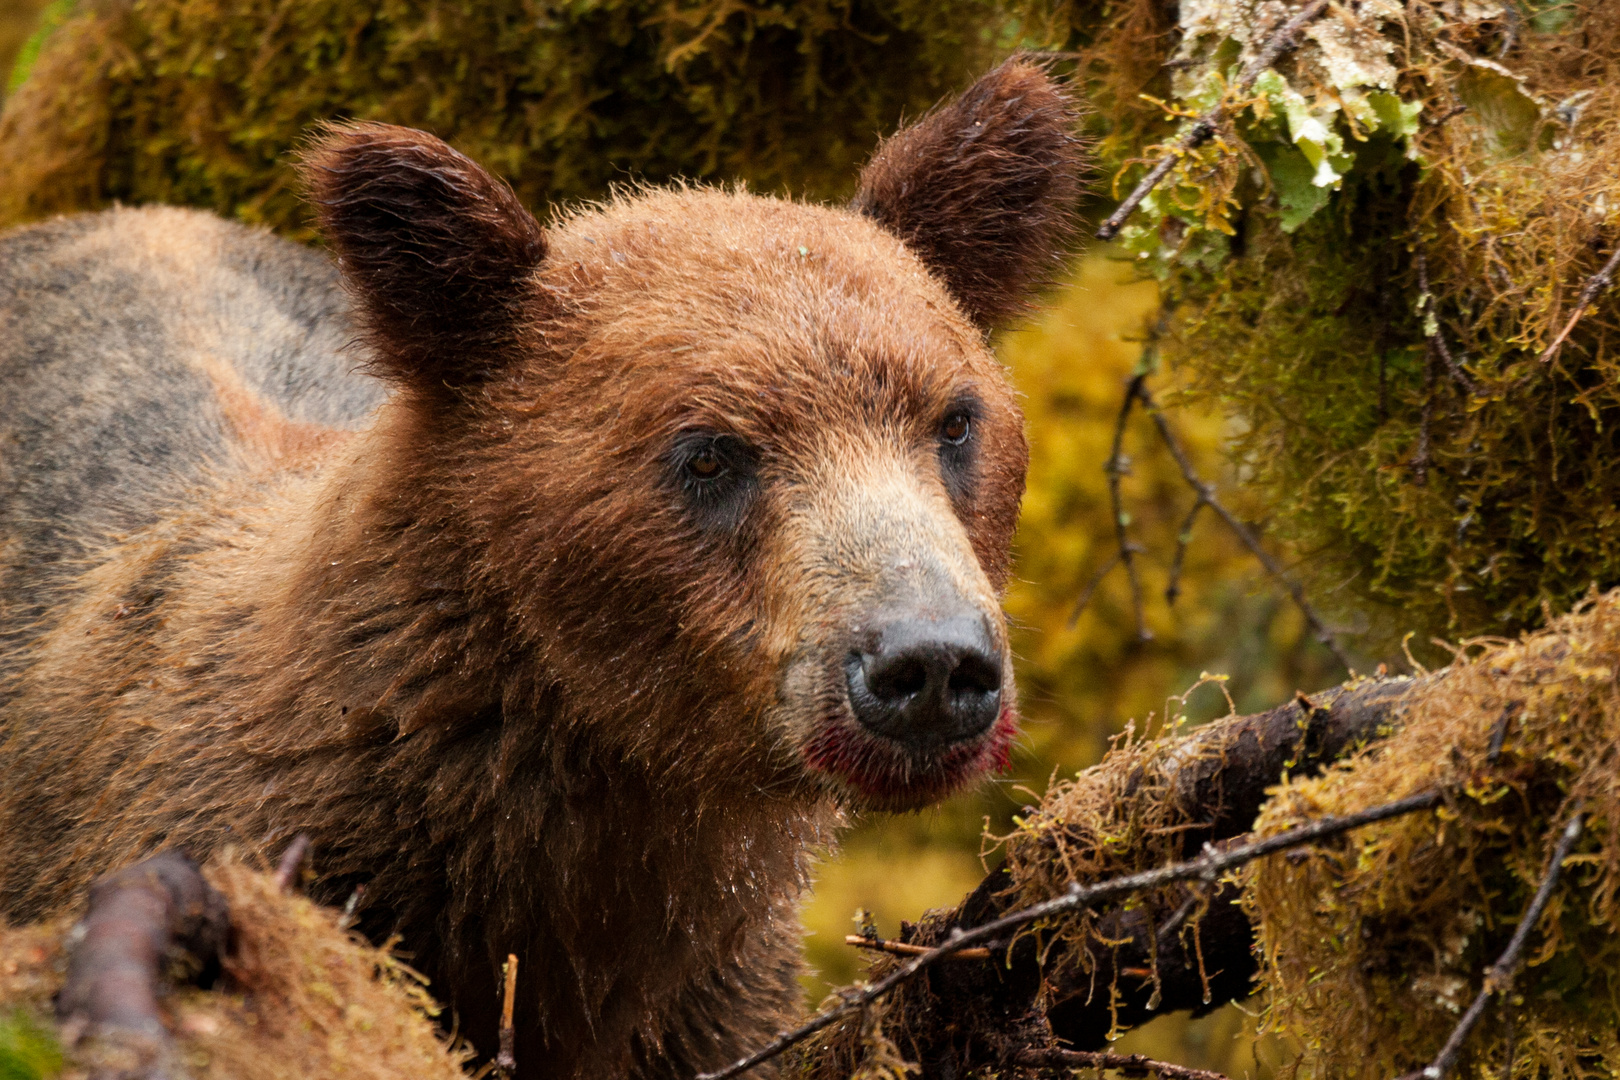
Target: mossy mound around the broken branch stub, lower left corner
{"points": [[301, 998]]}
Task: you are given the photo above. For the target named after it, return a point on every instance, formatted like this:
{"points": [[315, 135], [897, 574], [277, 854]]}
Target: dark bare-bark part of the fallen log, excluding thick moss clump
{"points": [[1206, 788]]}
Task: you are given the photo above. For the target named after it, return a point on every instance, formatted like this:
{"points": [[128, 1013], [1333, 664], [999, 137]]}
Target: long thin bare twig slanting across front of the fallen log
{"points": [[1208, 867]]}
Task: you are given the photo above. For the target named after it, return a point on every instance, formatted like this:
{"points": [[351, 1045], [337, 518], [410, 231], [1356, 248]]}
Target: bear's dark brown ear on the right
{"points": [[984, 189]]}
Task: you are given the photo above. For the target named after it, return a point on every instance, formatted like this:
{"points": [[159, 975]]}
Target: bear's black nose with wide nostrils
{"points": [[927, 684]]}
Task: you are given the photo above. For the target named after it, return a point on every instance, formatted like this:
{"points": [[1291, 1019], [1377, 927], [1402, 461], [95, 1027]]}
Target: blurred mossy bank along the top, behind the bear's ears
{"points": [[202, 103]]}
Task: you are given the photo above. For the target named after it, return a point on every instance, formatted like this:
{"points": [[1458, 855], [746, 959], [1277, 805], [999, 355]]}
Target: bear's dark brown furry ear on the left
{"points": [[440, 253]]}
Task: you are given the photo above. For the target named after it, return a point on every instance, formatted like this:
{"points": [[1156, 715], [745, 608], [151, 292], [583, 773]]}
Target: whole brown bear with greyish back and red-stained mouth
{"points": [[568, 585]]}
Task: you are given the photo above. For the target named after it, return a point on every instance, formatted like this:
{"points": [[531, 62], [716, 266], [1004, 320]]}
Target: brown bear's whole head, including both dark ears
{"points": [[759, 440]]}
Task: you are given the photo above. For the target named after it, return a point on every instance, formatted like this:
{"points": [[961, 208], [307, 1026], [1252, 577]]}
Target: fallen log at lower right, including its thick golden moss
{"points": [[1365, 948]]}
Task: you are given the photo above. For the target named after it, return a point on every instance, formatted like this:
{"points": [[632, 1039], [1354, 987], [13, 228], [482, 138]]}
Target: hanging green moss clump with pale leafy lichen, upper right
{"points": [[1413, 184]]}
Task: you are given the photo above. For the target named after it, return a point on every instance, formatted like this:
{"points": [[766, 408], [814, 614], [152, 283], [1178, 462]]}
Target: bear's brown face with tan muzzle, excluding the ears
{"points": [[788, 459]]}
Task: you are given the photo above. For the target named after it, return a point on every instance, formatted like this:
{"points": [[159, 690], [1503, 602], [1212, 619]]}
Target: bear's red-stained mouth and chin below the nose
{"points": [[884, 773]]}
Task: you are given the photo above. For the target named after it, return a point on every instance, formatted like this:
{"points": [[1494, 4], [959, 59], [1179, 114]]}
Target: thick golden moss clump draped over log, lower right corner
{"points": [[1381, 940]]}
